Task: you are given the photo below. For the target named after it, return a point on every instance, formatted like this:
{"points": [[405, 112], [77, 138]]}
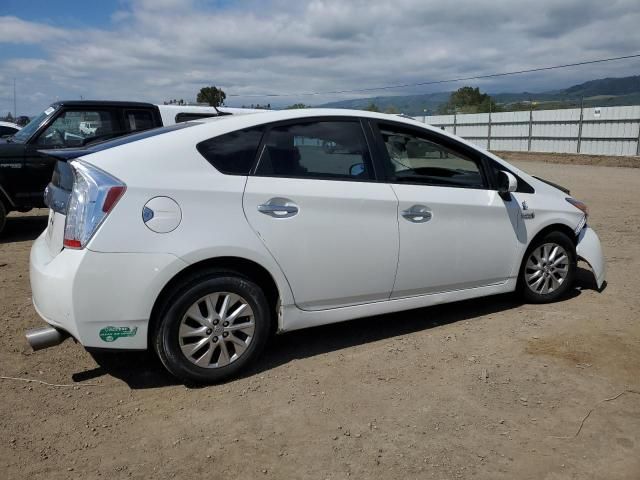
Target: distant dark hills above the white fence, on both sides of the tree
{"points": [[602, 92]]}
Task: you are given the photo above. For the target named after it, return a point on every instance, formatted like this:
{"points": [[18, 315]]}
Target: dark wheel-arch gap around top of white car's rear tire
{"points": [[190, 274]]}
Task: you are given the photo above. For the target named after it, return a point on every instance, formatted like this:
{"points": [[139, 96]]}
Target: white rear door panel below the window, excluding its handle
{"points": [[324, 266]]}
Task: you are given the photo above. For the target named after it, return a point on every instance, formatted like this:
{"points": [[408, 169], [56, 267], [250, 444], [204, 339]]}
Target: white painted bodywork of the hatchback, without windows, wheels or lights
{"points": [[129, 264]]}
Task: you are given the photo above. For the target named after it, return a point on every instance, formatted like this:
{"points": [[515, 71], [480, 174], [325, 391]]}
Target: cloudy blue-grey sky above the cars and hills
{"points": [[154, 50]]}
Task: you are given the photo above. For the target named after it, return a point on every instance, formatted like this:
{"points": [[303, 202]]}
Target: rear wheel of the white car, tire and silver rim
{"points": [[213, 327]]}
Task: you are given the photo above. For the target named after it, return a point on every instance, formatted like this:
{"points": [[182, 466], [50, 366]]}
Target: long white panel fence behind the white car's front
{"points": [[596, 131]]}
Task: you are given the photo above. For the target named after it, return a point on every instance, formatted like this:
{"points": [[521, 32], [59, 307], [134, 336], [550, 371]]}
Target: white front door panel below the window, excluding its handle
{"points": [[454, 250]]}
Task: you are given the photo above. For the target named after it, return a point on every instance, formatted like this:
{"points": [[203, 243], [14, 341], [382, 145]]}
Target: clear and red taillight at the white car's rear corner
{"points": [[93, 196]]}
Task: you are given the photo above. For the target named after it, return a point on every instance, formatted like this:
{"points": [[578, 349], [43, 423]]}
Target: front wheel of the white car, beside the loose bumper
{"points": [[548, 268]]}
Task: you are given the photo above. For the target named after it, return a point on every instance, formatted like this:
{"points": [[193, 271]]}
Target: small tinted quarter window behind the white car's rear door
{"points": [[232, 153]]}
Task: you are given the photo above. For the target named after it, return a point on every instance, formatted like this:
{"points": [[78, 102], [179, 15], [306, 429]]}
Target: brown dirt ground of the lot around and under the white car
{"points": [[487, 389]]}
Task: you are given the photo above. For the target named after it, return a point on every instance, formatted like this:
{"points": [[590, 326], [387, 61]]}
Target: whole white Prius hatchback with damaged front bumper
{"points": [[201, 239]]}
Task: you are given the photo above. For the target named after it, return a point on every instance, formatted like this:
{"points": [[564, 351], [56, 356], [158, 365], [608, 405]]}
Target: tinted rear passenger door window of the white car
{"points": [[326, 150]]}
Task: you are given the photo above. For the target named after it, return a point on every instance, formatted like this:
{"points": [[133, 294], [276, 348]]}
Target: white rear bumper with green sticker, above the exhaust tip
{"points": [[103, 300]]}
